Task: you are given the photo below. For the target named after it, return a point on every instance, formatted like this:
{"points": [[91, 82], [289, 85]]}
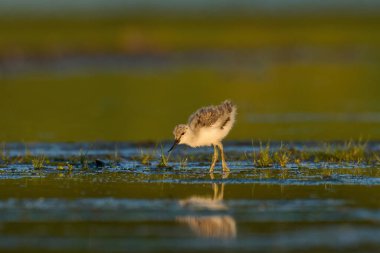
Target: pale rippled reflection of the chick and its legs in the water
{"points": [[209, 226]]}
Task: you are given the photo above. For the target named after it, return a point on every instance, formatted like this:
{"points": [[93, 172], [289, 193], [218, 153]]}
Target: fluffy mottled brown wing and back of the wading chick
{"points": [[211, 116]]}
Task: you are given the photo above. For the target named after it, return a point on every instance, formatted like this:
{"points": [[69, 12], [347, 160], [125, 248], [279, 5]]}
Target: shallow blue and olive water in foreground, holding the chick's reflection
{"points": [[127, 206]]}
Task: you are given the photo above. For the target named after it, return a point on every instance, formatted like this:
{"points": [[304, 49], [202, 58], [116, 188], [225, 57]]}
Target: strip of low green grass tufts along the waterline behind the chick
{"points": [[265, 155]]}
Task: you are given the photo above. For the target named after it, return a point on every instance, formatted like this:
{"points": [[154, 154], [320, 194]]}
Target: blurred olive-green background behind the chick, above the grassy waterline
{"points": [[131, 70]]}
